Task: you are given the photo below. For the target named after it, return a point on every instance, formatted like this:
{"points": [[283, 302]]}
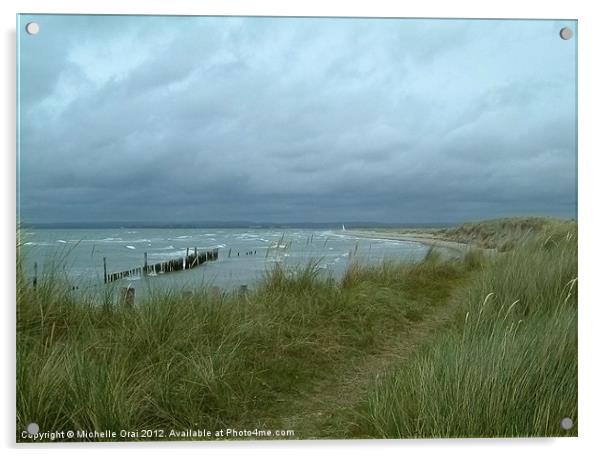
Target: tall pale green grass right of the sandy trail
{"points": [[509, 366]]}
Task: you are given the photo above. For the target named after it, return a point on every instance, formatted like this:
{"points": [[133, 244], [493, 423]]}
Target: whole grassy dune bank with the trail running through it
{"points": [[419, 349]]}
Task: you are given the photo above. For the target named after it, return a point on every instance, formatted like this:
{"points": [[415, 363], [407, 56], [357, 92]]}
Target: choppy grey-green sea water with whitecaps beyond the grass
{"points": [[244, 254]]}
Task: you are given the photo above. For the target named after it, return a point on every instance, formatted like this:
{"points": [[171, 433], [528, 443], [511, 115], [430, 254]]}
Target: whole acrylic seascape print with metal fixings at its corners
{"points": [[250, 228]]}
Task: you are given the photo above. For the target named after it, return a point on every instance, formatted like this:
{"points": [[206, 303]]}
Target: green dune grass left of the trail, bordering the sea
{"points": [[178, 361]]}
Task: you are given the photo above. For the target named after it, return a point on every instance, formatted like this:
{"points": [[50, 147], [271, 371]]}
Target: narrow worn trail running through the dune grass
{"points": [[326, 409]]}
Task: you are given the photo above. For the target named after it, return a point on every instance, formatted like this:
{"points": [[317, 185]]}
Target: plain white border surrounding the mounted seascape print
{"points": [[590, 42]]}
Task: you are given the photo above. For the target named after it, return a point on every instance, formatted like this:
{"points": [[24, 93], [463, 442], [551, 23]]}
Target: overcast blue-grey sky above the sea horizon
{"points": [[288, 120]]}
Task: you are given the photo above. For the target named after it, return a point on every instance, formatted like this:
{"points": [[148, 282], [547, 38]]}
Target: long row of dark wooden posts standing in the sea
{"points": [[192, 259]]}
